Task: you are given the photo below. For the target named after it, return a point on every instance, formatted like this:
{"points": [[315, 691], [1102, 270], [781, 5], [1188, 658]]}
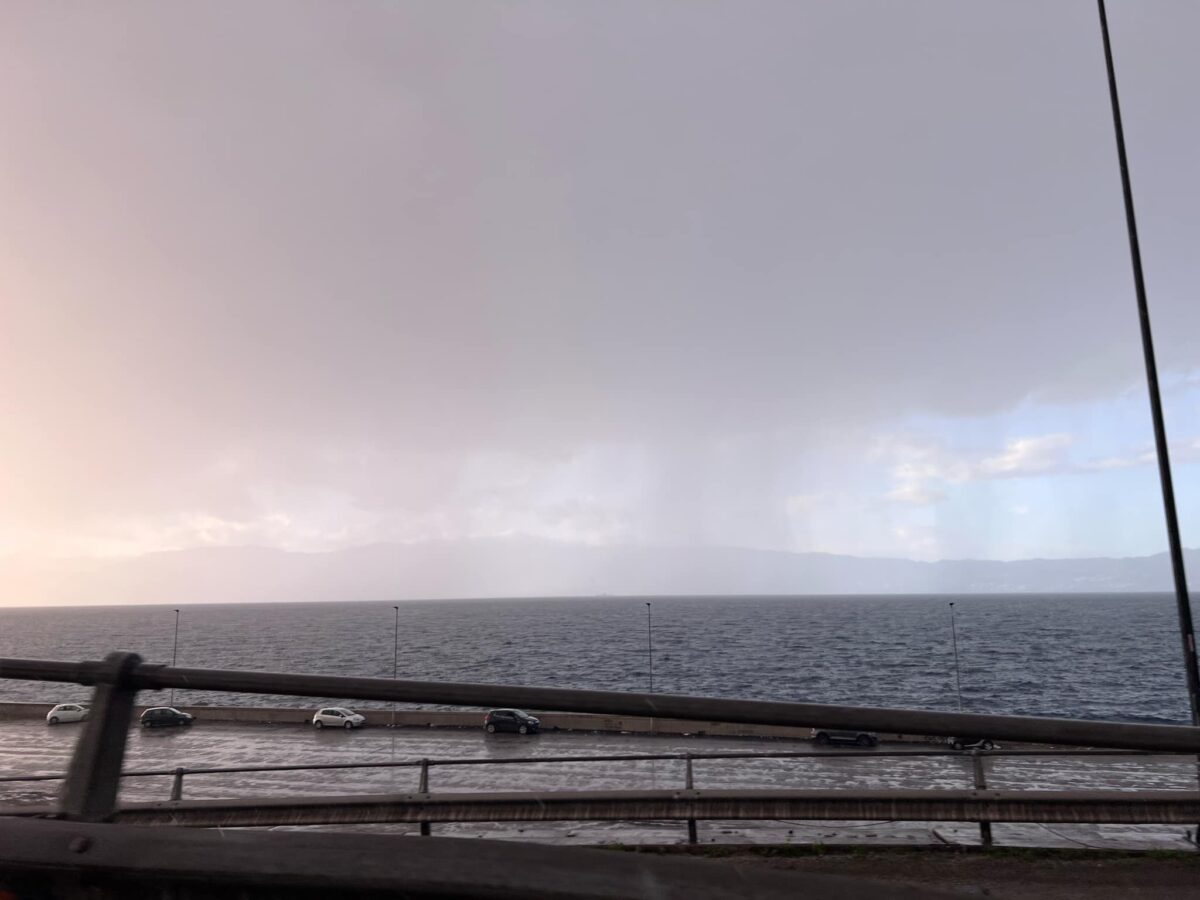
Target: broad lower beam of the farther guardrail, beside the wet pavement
{"points": [[911, 806]]}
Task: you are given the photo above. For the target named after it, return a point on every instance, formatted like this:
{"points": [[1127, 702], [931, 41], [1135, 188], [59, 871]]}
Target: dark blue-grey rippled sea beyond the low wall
{"points": [[1097, 657]]}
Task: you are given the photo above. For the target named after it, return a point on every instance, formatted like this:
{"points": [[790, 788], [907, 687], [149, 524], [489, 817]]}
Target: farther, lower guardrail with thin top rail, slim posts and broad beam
{"points": [[633, 806]]}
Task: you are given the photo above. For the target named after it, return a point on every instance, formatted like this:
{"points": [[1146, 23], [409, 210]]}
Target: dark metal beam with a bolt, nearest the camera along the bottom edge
{"points": [[172, 862]]}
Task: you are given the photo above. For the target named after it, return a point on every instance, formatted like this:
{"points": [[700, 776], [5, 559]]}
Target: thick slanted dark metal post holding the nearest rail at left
{"points": [[89, 794]]}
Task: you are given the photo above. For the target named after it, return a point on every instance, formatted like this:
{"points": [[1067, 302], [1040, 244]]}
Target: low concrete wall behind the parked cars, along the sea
{"points": [[457, 719]]}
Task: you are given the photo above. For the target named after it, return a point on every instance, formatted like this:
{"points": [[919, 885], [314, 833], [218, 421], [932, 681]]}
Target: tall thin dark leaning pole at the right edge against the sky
{"points": [[1183, 603]]}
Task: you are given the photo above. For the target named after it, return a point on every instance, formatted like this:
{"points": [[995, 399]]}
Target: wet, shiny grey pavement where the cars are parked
{"points": [[33, 748]]}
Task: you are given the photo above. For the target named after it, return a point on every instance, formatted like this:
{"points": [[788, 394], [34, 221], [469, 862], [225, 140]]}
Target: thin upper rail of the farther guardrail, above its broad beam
{"points": [[619, 758]]}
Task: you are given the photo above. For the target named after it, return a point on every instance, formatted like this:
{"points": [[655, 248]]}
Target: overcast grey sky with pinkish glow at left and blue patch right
{"points": [[838, 277]]}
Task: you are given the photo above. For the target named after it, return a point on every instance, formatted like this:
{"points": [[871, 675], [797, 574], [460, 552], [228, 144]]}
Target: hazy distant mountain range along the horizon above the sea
{"points": [[536, 568]]}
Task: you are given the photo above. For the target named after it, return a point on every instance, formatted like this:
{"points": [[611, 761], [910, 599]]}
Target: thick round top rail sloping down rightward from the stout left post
{"points": [[664, 706]]}
